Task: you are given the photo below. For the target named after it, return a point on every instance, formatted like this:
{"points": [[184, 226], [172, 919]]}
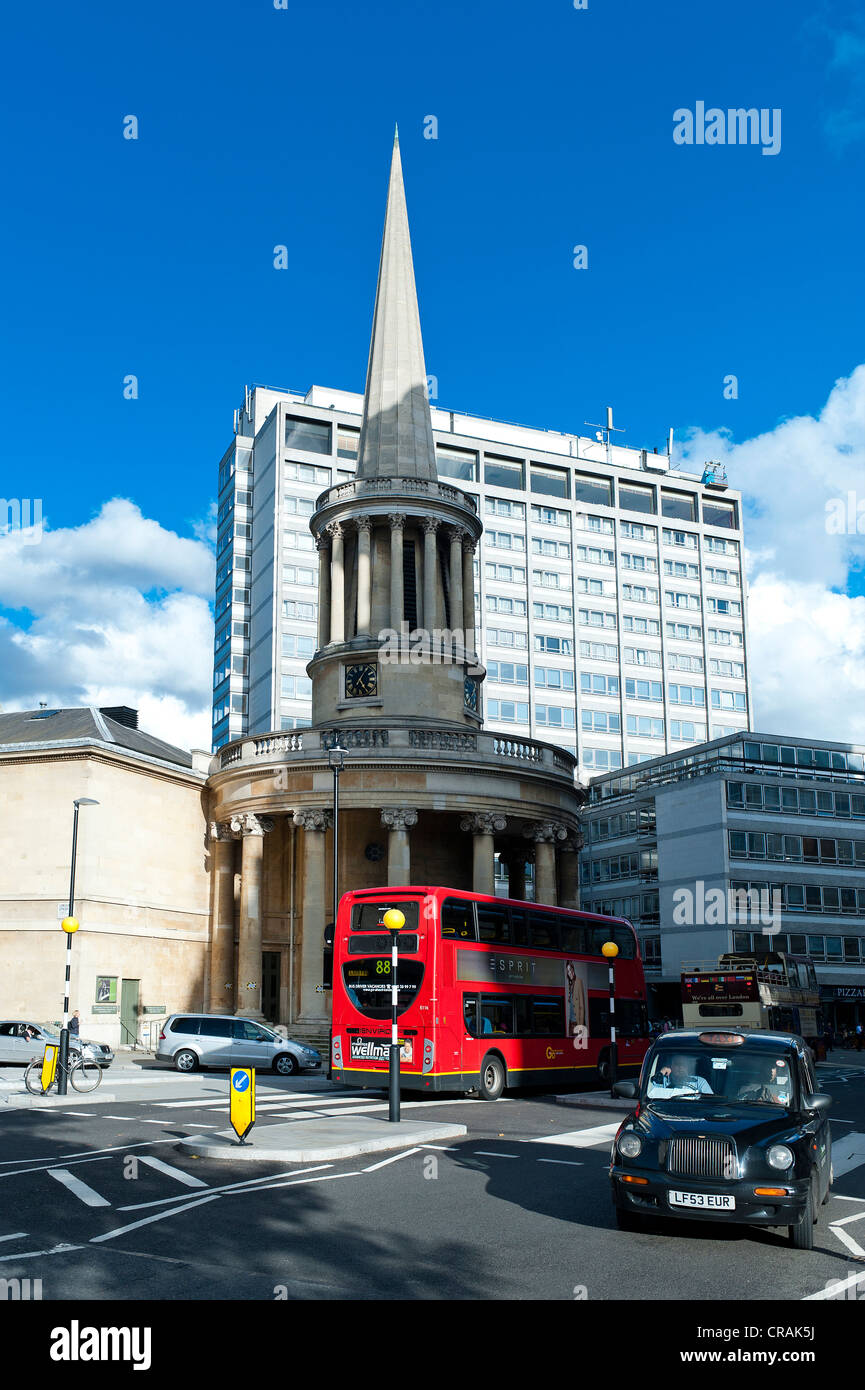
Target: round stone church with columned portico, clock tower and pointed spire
{"points": [[426, 796]]}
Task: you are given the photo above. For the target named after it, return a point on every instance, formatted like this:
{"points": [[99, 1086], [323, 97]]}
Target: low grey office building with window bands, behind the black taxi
{"points": [[745, 843]]}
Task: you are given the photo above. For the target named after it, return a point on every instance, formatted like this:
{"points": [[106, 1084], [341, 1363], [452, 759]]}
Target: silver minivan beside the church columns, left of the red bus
{"points": [[193, 1040]]}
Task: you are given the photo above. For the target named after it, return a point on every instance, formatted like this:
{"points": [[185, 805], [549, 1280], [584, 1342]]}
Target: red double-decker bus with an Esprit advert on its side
{"points": [[492, 993]]}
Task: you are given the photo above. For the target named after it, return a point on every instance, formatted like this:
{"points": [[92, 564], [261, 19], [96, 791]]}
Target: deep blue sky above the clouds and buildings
{"points": [[262, 127]]}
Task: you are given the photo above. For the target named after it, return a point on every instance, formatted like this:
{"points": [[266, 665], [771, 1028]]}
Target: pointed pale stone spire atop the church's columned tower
{"points": [[397, 432]]}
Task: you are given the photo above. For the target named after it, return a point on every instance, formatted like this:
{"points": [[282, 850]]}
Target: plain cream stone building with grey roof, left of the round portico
{"points": [[141, 885]]}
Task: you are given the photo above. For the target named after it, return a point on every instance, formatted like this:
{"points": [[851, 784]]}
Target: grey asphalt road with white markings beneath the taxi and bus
{"points": [[99, 1204]]}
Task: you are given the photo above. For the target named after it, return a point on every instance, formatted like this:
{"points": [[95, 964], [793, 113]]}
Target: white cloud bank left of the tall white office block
{"points": [[118, 614]]}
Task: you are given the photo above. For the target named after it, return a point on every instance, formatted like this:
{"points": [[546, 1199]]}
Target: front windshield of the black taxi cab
{"points": [[718, 1074]]}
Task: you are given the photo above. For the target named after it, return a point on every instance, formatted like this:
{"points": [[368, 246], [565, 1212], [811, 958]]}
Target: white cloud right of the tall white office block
{"points": [[807, 643]]}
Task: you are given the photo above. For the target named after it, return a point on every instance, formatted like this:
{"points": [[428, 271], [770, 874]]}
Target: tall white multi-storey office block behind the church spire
{"points": [[608, 587]]}
